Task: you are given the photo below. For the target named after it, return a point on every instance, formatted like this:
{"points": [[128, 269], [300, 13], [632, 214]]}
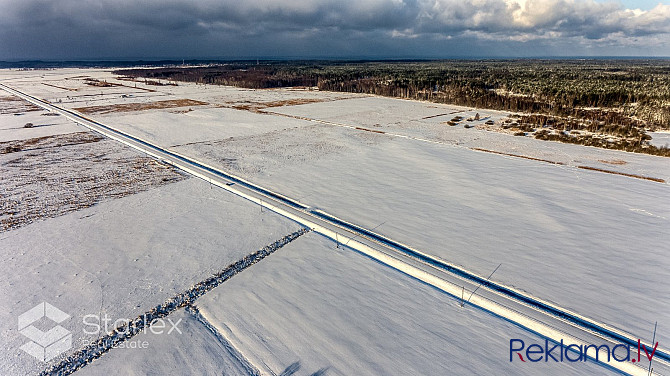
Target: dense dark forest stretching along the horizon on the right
{"points": [[610, 91]]}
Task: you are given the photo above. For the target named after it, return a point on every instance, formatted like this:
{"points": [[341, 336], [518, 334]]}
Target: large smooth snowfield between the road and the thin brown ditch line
{"points": [[562, 234]]}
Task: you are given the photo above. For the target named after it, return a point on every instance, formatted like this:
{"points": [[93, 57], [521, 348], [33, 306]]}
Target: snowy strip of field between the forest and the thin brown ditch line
{"points": [[408, 118]]}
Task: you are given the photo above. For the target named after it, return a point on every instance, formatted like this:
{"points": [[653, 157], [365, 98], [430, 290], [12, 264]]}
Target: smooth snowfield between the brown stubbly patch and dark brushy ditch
{"points": [[125, 256]]}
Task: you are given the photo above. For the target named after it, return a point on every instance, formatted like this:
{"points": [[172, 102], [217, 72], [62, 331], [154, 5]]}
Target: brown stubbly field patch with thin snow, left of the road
{"points": [[52, 176]]}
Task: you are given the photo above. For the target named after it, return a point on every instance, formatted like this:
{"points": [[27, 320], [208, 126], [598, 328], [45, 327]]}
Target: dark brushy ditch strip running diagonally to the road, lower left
{"points": [[95, 350]]}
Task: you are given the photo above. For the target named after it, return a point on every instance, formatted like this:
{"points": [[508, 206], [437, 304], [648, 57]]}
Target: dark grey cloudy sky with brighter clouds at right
{"points": [[133, 29]]}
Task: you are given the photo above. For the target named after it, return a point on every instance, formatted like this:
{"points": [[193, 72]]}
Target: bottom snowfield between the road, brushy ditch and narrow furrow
{"points": [[332, 309]]}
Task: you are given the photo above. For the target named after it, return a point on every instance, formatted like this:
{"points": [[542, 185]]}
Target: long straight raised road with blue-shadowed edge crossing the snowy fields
{"points": [[531, 313]]}
